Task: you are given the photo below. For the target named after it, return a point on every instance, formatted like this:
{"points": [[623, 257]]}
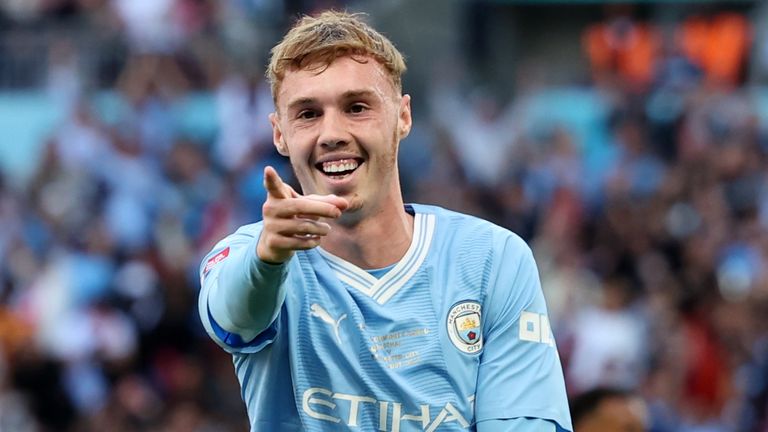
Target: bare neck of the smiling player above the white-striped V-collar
{"points": [[377, 240]]}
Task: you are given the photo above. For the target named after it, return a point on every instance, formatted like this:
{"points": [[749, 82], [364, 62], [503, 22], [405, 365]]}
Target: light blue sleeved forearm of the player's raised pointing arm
{"points": [[247, 293]]}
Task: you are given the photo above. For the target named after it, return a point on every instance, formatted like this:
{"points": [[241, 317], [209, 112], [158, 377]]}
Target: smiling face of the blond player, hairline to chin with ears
{"points": [[341, 128]]}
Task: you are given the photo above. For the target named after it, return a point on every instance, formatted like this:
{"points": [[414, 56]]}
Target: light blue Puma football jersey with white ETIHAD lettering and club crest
{"points": [[453, 334]]}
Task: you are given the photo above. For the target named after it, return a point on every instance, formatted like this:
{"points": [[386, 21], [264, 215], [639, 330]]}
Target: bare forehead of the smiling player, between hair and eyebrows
{"points": [[342, 76]]}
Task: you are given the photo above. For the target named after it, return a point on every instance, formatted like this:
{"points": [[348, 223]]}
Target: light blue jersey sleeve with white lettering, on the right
{"points": [[520, 374]]}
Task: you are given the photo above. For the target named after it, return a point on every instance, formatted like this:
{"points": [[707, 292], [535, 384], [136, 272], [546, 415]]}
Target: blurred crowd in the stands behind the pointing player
{"points": [[627, 143]]}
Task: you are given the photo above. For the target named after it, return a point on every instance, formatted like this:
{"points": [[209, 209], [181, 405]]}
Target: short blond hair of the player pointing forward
{"points": [[315, 42]]}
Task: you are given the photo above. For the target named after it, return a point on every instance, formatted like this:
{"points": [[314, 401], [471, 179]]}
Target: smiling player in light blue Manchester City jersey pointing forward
{"points": [[346, 309]]}
